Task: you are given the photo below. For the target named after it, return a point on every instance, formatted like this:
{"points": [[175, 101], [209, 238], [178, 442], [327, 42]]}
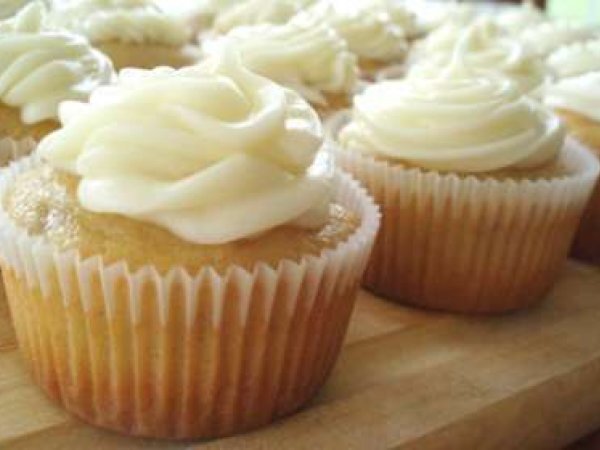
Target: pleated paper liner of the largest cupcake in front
{"points": [[181, 356]]}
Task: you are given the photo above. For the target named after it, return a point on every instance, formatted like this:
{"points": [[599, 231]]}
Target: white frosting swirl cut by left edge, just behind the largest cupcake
{"points": [[40, 69]]}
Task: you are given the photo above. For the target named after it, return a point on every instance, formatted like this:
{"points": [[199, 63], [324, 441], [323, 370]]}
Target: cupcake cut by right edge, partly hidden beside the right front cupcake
{"points": [[577, 101]]}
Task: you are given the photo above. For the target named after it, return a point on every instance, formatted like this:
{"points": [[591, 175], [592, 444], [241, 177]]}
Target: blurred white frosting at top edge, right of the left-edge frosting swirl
{"points": [[127, 21]]}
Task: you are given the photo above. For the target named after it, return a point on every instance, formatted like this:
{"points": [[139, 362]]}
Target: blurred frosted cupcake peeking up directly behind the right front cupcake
{"points": [[482, 47]]}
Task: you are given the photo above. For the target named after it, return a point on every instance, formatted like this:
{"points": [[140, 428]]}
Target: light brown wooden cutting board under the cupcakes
{"points": [[407, 379]]}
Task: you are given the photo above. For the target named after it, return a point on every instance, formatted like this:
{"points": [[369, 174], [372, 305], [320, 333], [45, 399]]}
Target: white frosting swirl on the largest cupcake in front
{"points": [[213, 152]]}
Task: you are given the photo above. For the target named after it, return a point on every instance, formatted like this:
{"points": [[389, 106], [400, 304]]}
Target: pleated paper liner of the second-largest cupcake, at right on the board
{"points": [[467, 244]]}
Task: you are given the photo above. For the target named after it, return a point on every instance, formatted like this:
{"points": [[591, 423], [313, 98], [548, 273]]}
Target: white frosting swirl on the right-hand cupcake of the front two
{"points": [[457, 122]]}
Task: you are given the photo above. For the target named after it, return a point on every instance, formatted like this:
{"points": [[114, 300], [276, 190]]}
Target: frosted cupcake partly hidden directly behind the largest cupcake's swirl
{"points": [[303, 55]]}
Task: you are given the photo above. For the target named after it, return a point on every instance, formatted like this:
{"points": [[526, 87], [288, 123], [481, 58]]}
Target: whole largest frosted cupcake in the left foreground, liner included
{"points": [[196, 260]]}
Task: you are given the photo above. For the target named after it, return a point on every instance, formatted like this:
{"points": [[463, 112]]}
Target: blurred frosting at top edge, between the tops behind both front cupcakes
{"points": [[367, 27]]}
